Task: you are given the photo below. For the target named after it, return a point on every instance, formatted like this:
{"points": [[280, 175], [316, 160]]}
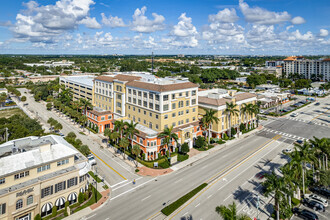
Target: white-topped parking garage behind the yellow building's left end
{"points": [[81, 86]]}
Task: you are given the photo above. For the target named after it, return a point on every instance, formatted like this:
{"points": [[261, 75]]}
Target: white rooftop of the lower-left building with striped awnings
{"points": [[24, 153]]}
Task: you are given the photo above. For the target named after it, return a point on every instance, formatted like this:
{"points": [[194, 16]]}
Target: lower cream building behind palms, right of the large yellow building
{"points": [[216, 99]]}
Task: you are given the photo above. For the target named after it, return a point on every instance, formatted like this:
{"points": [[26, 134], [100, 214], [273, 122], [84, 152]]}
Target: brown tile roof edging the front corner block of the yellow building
{"points": [[161, 88]]}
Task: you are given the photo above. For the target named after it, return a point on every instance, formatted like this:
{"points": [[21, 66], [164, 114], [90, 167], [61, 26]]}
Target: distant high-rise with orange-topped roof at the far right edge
{"points": [[307, 67]]}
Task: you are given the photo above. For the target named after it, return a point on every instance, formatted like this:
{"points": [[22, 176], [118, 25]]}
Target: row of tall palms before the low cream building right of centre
{"points": [[231, 112]]}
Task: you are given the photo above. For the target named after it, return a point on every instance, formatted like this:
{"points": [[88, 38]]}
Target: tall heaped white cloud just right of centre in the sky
{"points": [[185, 32]]}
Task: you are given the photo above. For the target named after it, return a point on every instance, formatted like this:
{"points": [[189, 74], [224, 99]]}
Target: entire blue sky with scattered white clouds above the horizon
{"points": [[247, 27]]}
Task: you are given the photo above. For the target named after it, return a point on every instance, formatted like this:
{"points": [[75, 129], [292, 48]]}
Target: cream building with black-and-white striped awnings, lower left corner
{"points": [[38, 173]]}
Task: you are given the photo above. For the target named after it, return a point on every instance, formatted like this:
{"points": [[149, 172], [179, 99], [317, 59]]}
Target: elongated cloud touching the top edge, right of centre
{"points": [[262, 16]]}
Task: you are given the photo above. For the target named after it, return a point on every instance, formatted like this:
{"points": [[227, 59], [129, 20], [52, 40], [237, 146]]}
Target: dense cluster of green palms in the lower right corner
{"points": [[295, 174]]}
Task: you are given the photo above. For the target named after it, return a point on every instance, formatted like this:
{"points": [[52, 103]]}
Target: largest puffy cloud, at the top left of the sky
{"points": [[45, 23]]}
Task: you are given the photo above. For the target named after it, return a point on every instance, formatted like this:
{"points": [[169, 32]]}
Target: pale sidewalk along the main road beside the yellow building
{"points": [[214, 149]]}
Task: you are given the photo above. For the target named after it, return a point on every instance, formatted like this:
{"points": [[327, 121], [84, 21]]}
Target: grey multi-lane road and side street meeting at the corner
{"points": [[230, 172]]}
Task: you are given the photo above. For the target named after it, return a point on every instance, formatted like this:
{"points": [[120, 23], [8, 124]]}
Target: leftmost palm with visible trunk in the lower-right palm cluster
{"points": [[274, 183]]}
